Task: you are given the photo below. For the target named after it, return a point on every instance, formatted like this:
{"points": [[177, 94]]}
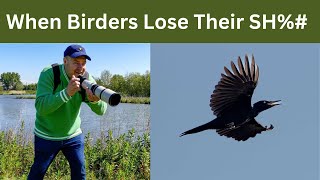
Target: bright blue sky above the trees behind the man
{"points": [[29, 59]]}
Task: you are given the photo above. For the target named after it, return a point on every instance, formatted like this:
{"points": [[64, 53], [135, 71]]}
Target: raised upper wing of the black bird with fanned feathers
{"points": [[234, 90]]}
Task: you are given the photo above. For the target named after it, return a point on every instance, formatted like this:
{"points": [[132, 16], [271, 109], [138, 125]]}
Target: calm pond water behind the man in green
{"points": [[119, 119]]}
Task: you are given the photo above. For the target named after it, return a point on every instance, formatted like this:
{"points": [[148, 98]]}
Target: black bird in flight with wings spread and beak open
{"points": [[231, 103]]}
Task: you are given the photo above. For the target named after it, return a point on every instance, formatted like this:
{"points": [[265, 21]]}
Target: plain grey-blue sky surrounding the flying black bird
{"points": [[183, 78]]}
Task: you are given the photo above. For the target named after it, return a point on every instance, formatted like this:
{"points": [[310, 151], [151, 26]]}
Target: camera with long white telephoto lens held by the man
{"points": [[105, 94]]}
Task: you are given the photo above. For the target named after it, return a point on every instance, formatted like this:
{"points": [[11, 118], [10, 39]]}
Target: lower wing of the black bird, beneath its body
{"points": [[244, 131]]}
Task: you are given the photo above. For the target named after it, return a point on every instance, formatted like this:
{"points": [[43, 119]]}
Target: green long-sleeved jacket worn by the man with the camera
{"points": [[57, 116]]}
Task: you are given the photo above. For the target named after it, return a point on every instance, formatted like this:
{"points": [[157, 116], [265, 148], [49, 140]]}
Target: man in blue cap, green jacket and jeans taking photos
{"points": [[57, 125]]}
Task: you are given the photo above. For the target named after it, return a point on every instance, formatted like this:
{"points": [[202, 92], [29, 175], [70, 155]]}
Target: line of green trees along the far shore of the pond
{"points": [[132, 84]]}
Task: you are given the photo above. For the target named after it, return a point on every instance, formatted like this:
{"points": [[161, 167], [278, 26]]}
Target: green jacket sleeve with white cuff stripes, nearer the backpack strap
{"points": [[47, 102]]}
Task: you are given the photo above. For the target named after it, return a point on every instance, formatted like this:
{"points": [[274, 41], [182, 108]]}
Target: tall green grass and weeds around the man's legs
{"points": [[123, 157]]}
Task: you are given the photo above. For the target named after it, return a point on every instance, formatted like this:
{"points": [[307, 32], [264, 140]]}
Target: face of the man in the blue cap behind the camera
{"points": [[75, 66]]}
